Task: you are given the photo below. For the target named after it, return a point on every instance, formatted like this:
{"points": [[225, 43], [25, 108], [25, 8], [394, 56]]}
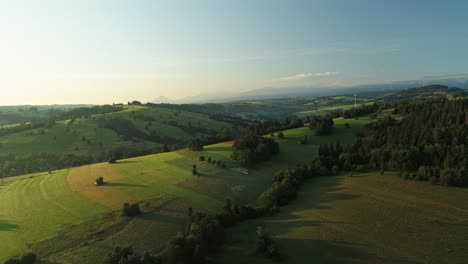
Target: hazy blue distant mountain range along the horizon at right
{"points": [[459, 81]]}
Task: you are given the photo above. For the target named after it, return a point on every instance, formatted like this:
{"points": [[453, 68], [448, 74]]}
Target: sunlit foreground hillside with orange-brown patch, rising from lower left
{"points": [[163, 183]]}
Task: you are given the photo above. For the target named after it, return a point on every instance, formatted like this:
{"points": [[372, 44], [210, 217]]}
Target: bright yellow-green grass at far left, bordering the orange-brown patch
{"points": [[34, 208]]}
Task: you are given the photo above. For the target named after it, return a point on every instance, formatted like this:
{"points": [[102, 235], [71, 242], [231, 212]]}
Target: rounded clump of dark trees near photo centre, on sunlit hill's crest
{"points": [[253, 149]]}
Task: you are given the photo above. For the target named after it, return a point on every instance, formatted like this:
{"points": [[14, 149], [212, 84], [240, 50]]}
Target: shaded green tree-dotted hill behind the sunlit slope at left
{"points": [[129, 131]]}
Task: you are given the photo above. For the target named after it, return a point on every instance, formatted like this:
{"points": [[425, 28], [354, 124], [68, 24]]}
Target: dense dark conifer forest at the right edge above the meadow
{"points": [[429, 143]]}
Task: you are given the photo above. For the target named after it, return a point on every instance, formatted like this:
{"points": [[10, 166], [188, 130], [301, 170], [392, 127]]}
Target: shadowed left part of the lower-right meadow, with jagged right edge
{"points": [[299, 229]]}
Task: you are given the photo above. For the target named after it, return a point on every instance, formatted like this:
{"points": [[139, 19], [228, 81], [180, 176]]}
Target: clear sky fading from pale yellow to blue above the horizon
{"points": [[101, 51]]}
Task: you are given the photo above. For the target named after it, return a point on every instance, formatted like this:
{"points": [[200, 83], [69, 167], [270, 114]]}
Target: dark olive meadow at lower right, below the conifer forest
{"points": [[364, 218]]}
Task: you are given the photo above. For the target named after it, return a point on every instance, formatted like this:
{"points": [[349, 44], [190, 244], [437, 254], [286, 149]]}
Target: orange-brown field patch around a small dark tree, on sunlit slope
{"points": [[81, 180]]}
